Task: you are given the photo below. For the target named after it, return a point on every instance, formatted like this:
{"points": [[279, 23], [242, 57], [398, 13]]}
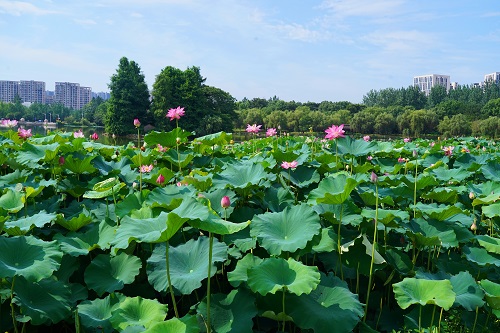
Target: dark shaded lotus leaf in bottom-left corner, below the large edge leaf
{"points": [[47, 300]]}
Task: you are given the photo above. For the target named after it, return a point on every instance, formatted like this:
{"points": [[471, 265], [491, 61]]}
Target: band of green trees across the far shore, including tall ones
{"points": [[466, 110]]}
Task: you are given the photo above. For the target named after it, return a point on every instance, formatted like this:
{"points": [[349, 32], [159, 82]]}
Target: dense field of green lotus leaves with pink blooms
{"points": [[278, 233]]}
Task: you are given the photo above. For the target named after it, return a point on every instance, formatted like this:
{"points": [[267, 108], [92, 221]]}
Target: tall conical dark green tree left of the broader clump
{"points": [[129, 98]]}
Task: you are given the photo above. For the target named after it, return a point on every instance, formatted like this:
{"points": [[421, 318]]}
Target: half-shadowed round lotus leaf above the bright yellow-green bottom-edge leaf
{"points": [[108, 274]]}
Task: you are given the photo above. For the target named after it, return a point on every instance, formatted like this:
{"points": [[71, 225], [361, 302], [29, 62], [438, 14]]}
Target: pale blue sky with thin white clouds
{"points": [[302, 50]]}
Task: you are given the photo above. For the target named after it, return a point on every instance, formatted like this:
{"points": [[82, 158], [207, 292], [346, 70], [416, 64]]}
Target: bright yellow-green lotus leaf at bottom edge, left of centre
{"points": [[138, 311]]}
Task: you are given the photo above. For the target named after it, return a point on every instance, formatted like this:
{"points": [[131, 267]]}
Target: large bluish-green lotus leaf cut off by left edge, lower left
{"points": [[29, 257]]}
